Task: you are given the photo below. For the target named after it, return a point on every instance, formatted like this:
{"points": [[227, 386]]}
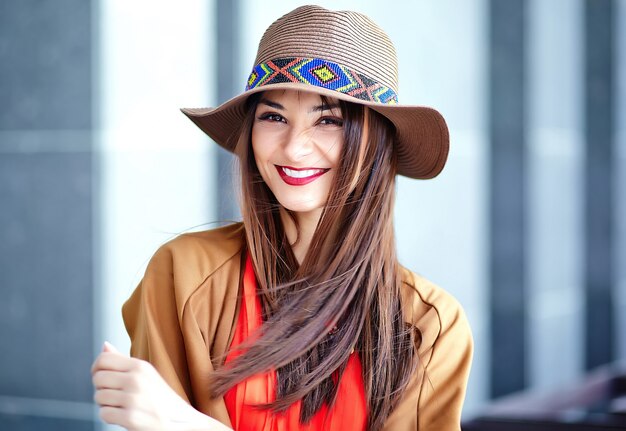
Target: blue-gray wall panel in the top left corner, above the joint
{"points": [[45, 64]]}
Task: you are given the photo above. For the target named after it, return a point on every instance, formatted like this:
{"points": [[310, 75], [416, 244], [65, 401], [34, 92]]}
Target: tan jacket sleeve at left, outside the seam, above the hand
{"points": [[151, 316]]}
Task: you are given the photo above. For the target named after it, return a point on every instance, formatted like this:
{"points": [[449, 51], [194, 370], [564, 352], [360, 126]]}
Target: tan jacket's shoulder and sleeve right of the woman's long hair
{"points": [[445, 356]]}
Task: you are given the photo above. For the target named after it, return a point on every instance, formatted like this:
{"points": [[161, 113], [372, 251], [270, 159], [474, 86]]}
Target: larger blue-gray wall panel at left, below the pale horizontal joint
{"points": [[46, 322]]}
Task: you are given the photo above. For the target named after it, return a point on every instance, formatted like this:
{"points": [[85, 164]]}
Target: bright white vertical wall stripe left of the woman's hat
{"points": [[154, 165]]}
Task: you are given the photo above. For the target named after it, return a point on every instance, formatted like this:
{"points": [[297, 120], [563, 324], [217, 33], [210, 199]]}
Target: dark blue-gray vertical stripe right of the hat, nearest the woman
{"points": [[507, 221]]}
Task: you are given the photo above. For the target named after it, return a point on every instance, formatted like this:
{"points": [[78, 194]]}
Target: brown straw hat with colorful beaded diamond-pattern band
{"points": [[340, 54]]}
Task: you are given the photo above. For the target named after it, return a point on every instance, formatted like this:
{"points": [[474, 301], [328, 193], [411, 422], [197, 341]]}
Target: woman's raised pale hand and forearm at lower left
{"points": [[132, 394]]}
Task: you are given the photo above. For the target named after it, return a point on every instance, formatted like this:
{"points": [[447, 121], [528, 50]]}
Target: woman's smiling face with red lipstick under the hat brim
{"points": [[297, 141]]}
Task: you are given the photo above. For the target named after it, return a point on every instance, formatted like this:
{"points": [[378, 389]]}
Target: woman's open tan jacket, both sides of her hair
{"points": [[183, 314]]}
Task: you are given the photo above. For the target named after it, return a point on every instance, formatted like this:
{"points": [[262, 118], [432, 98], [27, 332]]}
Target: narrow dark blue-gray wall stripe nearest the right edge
{"points": [[599, 115]]}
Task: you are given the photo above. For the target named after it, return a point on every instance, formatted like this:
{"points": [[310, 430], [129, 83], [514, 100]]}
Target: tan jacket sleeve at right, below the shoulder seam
{"points": [[446, 372]]}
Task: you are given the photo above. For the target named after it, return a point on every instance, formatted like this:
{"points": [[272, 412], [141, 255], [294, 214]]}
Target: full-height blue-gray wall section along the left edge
{"points": [[46, 230]]}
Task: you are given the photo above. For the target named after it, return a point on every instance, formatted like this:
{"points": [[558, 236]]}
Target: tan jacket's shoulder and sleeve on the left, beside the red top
{"points": [[187, 296]]}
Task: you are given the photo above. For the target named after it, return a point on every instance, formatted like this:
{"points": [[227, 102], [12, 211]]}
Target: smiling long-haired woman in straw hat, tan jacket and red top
{"points": [[300, 318]]}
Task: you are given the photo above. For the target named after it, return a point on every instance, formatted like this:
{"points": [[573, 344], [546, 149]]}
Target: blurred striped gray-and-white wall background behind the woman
{"points": [[526, 226]]}
